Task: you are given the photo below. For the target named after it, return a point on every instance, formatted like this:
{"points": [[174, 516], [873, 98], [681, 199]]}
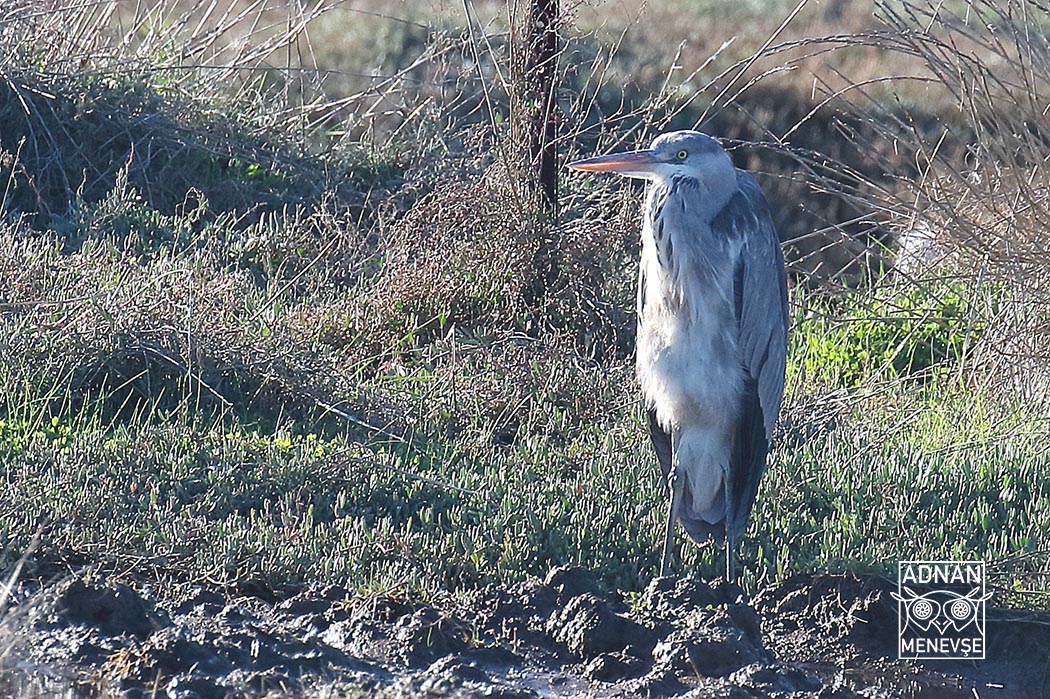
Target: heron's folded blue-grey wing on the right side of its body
{"points": [[761, 294]]}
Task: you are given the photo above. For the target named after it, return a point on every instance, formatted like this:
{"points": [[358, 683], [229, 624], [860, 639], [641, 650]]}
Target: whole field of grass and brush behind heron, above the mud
{"points": [[277, 306]]}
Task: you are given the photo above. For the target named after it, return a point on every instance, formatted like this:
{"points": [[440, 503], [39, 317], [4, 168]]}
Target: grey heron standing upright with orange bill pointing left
{"points": [[712, 331]]}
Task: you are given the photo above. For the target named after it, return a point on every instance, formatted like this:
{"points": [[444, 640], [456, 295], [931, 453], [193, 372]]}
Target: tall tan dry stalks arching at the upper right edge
{"points": [[979, 203]]}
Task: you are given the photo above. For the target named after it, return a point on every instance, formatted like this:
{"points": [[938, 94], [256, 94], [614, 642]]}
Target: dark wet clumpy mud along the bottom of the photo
{"points": [[829, 638]]}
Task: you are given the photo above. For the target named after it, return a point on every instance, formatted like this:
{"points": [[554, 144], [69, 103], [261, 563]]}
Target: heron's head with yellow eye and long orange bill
{"points": [[689, 154]]}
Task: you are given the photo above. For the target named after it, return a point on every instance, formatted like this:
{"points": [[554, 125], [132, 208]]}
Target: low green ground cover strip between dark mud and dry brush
{"points": [[908, 473]]}
